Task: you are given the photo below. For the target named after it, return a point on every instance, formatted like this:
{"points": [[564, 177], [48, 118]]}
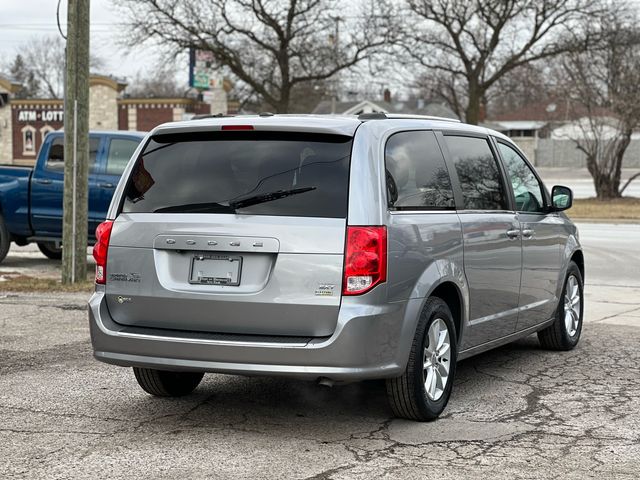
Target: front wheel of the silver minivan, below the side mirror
{"points": [[564, 332]]}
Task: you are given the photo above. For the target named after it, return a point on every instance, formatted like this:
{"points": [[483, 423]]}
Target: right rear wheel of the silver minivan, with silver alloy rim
{"points": [[408, 396]]}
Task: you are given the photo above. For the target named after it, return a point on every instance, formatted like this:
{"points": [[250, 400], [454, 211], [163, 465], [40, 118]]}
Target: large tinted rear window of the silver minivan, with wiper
{"points": [[246, 173]]}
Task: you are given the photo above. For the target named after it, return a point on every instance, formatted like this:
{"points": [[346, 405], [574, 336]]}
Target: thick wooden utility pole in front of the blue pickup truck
{"points": [[76, 144]]}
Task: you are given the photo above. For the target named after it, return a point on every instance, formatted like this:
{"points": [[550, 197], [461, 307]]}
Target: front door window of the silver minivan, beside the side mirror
{"points": [[526, 188]]}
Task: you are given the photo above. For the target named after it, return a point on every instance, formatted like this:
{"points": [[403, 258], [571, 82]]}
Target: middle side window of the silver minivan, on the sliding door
{"points": [[478, 173]]}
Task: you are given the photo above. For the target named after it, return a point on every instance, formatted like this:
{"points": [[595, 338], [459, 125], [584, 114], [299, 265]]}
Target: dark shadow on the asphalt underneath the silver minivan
{"points": [[270, 404]]}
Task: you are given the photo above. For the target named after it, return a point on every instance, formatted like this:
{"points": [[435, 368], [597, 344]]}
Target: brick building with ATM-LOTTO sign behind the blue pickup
{"points": [[25, 122]]}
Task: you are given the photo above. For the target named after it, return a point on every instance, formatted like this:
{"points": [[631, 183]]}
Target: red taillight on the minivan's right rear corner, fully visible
{"points": [[365, 260]]}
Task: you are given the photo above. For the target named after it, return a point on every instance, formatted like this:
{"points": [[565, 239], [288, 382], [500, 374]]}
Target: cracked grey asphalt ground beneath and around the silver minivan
{"points": [[516, 412]]}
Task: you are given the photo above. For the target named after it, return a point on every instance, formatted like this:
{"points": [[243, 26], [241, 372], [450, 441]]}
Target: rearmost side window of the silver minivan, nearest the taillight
{"points": [[416, 174]]}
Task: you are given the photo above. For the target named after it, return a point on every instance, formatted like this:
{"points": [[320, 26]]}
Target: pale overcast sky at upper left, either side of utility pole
{"points": [[23, 19]]}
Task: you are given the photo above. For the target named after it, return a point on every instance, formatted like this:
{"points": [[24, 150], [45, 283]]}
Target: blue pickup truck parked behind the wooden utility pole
{"points": [[31, 198]]}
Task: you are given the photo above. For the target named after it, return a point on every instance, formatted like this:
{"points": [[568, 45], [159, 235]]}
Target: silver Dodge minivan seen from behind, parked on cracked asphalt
{"points": [[335, 249]]}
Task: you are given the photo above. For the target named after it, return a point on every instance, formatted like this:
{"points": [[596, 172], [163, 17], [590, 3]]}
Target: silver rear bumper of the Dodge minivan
{"points": [[370, 341]]}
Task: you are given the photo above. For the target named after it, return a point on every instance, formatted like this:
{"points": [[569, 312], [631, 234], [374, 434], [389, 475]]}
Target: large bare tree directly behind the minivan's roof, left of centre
{"points": [[274, 46]]}
